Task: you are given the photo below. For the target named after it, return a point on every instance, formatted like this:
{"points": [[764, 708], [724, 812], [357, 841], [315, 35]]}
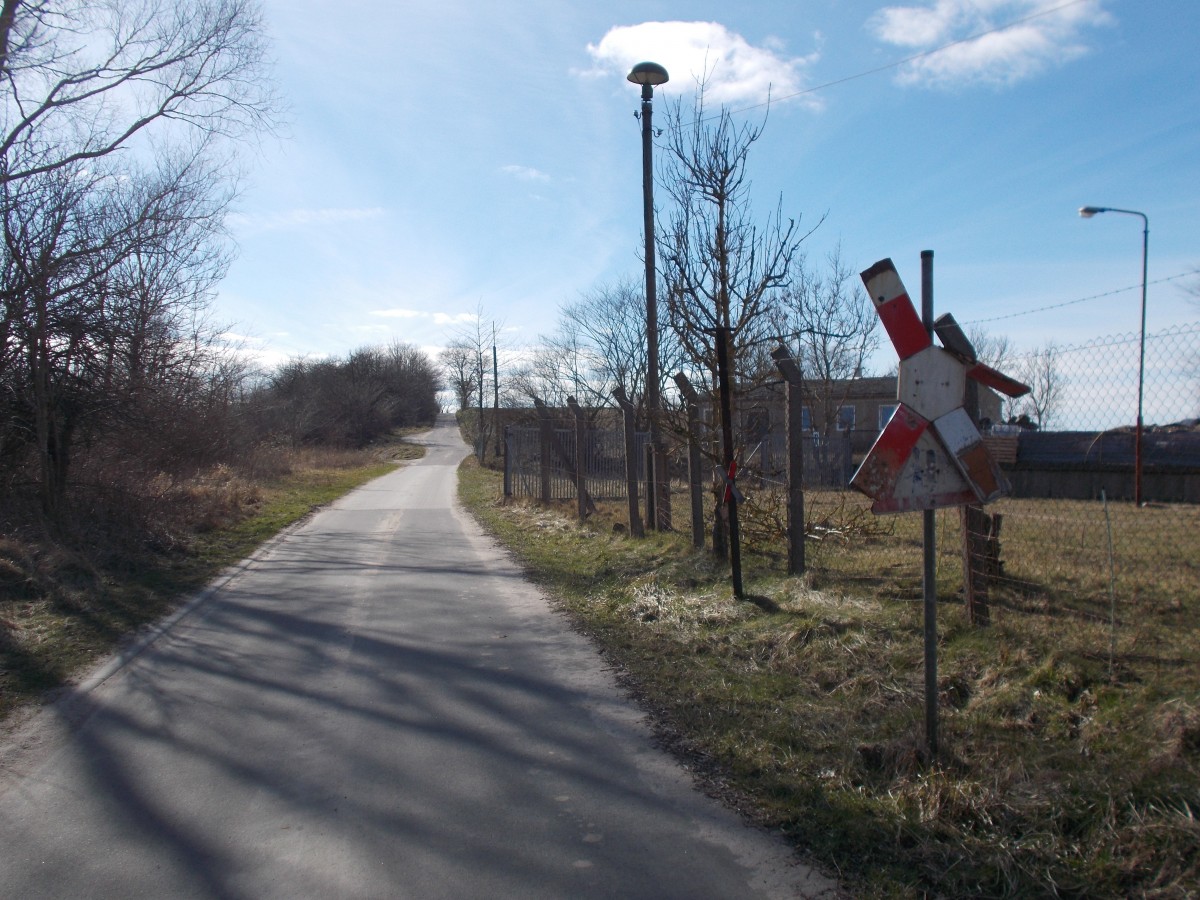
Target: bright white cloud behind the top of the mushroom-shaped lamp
{"points": [[737, 71]]}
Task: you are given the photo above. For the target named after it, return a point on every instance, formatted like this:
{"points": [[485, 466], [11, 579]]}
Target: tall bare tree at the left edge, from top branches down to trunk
{"points": [[111, 257]]}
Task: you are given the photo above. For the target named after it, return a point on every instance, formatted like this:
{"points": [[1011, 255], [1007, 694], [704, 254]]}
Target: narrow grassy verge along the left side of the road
{"points": [[63, 609]]}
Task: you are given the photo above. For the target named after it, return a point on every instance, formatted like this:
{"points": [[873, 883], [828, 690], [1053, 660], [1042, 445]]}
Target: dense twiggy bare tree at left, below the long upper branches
{"points": [[104, 285]]}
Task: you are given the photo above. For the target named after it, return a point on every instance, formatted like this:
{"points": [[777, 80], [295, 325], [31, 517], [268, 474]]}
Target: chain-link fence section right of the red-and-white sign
{"points": [[1073, 539]]}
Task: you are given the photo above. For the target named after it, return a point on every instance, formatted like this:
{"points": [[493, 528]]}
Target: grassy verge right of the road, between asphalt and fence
{"points": [[1059, 777]]}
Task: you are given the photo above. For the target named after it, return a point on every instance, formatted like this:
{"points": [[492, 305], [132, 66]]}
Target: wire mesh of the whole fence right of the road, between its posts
{"points": [[1069, 539]]}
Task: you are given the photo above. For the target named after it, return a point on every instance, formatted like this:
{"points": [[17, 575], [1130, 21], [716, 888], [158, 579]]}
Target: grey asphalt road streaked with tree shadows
{"points": [[376, 705]]}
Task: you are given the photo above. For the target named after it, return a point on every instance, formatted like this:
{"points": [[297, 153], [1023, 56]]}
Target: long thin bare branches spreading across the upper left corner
{"points": [[83, 80]]}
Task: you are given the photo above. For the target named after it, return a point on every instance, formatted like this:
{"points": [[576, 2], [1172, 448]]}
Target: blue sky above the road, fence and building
{"points": [[446, 158]]}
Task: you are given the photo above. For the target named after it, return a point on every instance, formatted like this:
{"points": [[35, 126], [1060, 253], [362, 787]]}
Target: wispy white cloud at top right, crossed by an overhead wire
{"points": [[1001, 58]]}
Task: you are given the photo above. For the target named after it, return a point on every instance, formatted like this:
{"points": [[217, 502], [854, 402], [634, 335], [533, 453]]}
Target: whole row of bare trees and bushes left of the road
{"points": [[118, 167]]}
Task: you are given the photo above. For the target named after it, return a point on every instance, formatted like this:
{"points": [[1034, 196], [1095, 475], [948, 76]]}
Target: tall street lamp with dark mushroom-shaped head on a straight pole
{"points": [[658, 483]]}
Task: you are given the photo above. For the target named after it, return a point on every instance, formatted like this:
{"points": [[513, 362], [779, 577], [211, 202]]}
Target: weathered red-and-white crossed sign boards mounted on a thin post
{"points": [[931, 454]]}
